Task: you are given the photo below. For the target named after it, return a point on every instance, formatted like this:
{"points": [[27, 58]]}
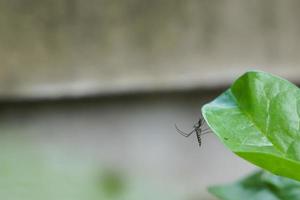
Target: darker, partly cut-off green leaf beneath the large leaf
{"points": [[259, 186]]}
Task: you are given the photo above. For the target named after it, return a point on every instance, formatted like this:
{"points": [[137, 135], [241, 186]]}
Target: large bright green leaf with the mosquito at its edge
{"points": [[258, 119]]}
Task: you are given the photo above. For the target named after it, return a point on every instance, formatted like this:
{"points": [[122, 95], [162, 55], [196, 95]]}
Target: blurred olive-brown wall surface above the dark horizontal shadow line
{"points": [[55, 48]]}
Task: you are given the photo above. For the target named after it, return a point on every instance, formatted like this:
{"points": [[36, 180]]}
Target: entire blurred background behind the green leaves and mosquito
{"points": [[90, 91]]}
